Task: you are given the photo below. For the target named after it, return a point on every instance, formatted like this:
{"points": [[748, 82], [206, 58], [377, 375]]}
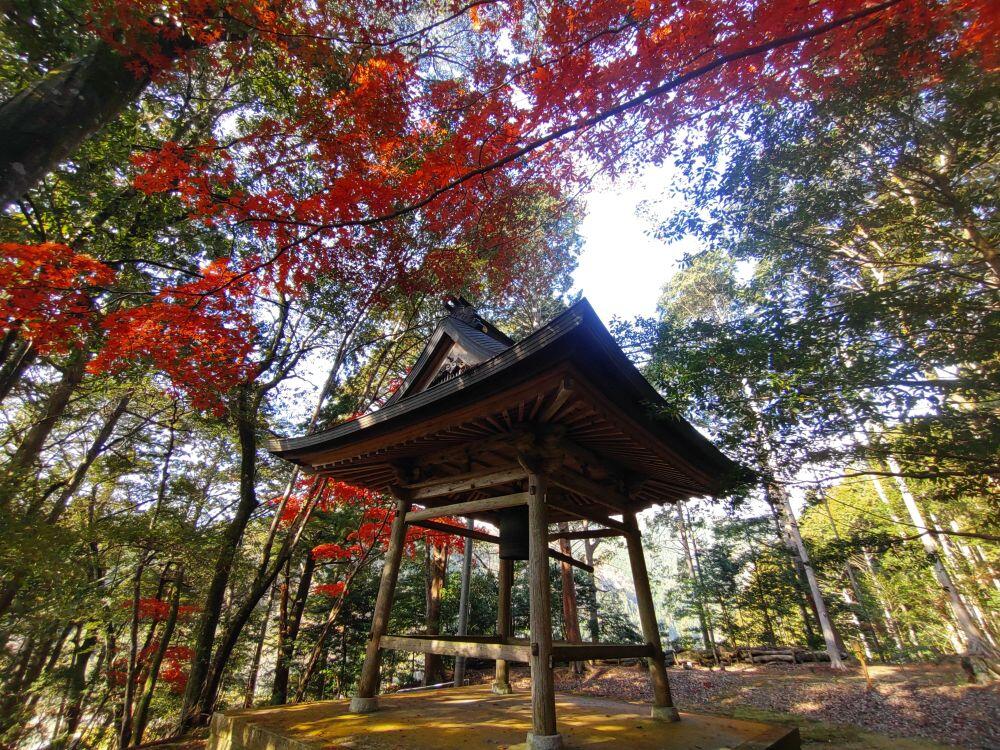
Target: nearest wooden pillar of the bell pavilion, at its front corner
{"points": [[543, 700]]}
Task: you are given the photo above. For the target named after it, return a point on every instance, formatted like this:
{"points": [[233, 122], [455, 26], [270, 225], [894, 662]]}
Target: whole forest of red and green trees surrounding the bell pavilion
{"points": [[225, 221]]}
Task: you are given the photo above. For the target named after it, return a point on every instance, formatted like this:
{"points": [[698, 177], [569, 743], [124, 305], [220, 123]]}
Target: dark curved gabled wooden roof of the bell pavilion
{"points": [[475, 403]]}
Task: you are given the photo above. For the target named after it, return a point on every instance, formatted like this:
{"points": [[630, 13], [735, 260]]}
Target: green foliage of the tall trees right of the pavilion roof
{"points": [[842, 314]]}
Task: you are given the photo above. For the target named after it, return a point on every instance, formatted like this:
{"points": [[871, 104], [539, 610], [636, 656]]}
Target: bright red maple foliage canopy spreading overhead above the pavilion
{"points": [[407, 131]]}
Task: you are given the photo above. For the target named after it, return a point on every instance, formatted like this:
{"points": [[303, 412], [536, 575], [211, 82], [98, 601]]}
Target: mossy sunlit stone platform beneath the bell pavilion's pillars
{"points": [[473, 718]]}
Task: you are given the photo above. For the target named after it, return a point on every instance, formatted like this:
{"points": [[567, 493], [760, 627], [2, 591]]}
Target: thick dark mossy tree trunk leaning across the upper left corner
{"points": [[46, 122]]}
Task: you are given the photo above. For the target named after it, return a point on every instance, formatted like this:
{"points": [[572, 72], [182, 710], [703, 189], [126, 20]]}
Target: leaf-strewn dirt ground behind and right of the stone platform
{"points": [[933, 703]]}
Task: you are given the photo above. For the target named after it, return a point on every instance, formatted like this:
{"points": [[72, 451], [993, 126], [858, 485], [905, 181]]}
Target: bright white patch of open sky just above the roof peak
{"points": [[622, 266]]}
